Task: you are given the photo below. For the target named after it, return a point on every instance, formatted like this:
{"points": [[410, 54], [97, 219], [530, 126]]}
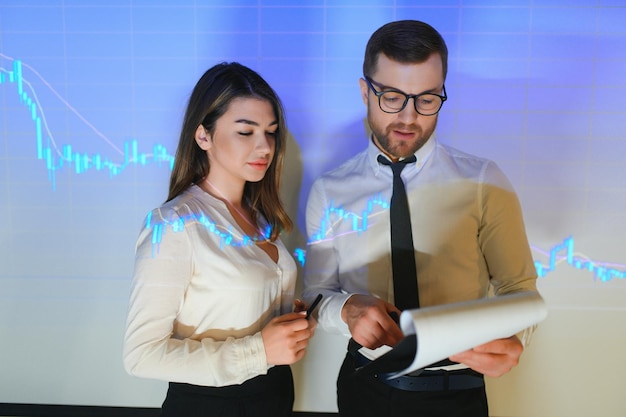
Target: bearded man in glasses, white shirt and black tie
{"points": [[467, 230]]}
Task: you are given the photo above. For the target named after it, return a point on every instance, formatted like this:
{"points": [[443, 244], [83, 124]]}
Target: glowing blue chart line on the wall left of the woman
{"points": [[65, 157]]}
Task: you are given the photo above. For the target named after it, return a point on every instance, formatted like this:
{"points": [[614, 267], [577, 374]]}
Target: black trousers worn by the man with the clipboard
{"points": [[364, 396]]}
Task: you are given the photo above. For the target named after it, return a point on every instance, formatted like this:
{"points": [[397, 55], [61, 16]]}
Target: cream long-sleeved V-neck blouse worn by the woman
{"points": [[201, 293]]}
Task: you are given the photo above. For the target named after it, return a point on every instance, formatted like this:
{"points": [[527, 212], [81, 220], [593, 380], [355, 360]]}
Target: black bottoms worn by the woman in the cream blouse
{"points": [[270, 395]]}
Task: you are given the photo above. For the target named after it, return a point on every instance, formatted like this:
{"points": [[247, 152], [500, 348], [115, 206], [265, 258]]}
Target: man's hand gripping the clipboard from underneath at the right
{"points": [[494, 358]]}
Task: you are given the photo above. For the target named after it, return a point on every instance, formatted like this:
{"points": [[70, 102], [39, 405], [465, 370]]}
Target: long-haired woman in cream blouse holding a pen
{"points": [[212, 292]]}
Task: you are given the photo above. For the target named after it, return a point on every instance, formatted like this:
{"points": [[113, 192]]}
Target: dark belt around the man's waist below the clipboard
{"points": [[439, 380]]}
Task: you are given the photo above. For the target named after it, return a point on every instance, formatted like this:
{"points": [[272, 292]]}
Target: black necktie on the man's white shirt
{"points": [[402, 251]]}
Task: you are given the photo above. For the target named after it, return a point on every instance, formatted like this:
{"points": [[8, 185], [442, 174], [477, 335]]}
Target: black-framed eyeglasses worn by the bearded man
{"points": [[394, 101]]}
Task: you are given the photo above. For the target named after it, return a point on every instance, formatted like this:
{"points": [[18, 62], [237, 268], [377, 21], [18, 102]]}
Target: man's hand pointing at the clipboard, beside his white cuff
{"points": [[369, 321]]}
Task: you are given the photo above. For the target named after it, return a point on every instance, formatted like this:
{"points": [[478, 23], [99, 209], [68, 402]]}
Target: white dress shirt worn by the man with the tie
{"points": [[467, 224]]}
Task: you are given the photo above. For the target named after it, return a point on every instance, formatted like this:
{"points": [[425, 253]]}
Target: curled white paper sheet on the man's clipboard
{"points": [[442, 331]]}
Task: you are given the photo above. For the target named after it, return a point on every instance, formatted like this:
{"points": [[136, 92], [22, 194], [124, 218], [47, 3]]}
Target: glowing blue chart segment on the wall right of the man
{"points": [[564, 252]]}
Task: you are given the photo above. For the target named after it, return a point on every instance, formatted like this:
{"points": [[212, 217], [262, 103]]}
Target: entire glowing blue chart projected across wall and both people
{"points": [[59, 157]]}
